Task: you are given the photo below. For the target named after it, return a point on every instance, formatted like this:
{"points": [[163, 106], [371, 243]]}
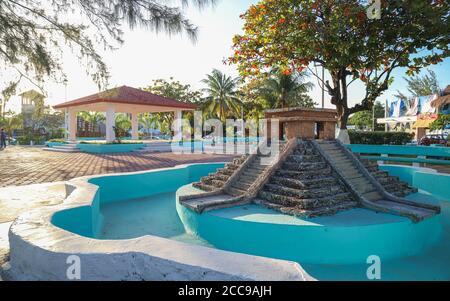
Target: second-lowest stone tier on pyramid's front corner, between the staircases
{"points": [[304, 203]]}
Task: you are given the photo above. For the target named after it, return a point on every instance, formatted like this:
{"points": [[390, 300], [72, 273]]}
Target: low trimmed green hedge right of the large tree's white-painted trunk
{"points": [[380, 138]]}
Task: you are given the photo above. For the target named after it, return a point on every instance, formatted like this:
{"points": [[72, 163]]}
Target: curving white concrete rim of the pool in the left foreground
{"points": [[39, 251]]}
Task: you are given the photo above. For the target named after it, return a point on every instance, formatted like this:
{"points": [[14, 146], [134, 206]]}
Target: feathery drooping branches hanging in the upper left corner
{"points": [[34, 33]]}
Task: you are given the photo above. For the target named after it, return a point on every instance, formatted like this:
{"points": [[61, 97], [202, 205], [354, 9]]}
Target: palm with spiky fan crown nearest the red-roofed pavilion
{"points": [[223, 99]]}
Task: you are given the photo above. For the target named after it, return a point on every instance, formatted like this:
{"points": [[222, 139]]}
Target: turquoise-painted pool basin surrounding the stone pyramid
{"points": [[328, 248]]}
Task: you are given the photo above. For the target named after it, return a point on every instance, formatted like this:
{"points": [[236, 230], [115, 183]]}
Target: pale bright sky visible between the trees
{"points": [[146, 56]]}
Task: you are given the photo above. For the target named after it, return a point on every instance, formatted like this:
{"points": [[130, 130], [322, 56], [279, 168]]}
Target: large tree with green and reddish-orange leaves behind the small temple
{"points": [[291, 35]]}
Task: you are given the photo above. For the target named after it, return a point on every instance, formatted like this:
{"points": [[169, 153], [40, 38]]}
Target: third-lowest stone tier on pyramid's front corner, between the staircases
{"points": [[303, 193]]}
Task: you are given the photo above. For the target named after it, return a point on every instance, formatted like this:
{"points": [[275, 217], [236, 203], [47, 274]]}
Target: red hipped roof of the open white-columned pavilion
{"points": [[127, 95]]}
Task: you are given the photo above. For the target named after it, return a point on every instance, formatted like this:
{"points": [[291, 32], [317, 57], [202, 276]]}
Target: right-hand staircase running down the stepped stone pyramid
{"points": [[365, 186]]}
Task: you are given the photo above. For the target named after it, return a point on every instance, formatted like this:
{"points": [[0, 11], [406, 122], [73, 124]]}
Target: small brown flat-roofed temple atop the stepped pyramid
{"points": [[304, 123]]}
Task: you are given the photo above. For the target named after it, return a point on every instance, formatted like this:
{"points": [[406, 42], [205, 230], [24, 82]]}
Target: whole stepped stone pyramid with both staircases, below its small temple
{"points": [[309, 179]]}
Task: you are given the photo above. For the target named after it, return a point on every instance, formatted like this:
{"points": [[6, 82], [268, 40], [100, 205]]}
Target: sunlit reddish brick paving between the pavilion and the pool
{"points": [[21, 165]]}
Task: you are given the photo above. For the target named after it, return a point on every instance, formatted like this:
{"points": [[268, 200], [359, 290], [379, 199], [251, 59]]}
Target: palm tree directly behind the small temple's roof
{"points": [[282, 90]]}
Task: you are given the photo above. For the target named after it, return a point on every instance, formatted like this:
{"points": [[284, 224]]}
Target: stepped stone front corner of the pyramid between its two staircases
{"points": [[305, 186]]}
